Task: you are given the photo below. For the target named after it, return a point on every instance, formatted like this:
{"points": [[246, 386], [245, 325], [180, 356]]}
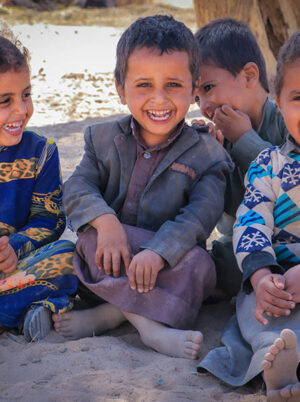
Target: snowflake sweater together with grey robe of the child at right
{"points": [[266, 233]]}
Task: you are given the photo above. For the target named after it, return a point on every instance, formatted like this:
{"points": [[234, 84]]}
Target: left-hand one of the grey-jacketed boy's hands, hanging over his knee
{"points": [[112, 244]]}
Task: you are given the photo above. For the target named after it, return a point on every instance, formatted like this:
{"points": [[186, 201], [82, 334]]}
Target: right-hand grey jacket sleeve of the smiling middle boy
{"points": [[199, 216]]}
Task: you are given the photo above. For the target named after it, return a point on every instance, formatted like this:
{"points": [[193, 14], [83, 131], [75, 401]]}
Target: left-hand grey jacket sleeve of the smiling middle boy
{"points": [[82, 197]]}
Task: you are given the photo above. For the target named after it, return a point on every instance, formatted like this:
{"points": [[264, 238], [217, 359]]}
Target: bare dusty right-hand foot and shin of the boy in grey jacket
{"points": [[169, 341]]}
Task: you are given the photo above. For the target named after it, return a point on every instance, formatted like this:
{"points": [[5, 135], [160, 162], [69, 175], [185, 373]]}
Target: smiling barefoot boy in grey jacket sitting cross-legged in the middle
{"points": [[146, 194]]}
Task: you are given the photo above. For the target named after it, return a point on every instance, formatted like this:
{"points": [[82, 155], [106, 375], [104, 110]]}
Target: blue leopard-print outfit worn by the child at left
{"points": [[31, 215]]}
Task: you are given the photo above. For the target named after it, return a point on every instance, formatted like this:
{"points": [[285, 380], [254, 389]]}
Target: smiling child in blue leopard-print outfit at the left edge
{"points": [[36, 275]]}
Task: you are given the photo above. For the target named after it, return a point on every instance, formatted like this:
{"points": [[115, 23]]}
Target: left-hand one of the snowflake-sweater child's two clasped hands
{"points": [[270, 296]]}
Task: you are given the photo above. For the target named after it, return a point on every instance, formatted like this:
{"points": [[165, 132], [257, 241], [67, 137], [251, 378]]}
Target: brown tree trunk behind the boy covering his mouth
{"points": [[272, 21]]}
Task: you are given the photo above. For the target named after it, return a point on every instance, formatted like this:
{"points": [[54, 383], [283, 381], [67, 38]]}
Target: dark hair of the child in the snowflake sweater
{"points": [[288, 54]]}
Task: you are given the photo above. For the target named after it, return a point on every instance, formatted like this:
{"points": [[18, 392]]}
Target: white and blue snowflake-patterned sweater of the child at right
{"points": [[267, 228]]}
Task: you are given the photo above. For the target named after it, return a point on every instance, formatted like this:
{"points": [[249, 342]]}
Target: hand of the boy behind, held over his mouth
{"points": [[232, 123]]}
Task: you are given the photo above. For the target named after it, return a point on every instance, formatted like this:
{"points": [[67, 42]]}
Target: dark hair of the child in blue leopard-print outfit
{"points": [[13, 56]]}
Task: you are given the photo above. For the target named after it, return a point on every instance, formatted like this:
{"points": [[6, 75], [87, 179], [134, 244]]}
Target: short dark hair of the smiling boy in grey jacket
{"points": [[158, 31]]}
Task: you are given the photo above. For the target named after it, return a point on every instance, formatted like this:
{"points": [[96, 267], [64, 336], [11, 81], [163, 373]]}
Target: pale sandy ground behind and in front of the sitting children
{"points": [[73, 86]]}
